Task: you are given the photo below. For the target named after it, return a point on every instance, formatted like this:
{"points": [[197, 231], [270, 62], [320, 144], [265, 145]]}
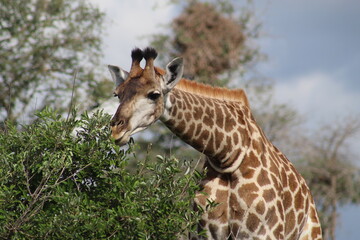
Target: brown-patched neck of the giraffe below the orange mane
{"points": [[218, 128]]}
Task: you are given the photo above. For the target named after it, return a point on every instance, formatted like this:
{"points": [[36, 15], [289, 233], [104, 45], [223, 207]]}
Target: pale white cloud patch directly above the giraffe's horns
{"points": [[127, 25]]}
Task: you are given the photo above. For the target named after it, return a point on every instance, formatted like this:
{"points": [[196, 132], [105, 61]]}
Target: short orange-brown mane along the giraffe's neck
{"points": [[234, 95]]}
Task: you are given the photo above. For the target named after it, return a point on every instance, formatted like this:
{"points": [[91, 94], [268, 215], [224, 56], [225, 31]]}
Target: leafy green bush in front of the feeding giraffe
{"points": [[59, 185]]}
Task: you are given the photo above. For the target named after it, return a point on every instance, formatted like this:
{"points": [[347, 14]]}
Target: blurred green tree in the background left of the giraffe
{"points": [[43, 45]]}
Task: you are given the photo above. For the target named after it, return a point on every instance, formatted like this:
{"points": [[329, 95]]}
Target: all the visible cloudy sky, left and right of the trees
{"points": [[312, 46]]}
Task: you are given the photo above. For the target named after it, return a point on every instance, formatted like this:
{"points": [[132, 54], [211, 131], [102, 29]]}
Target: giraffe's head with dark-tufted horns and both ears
{"points": [[142, 93]]}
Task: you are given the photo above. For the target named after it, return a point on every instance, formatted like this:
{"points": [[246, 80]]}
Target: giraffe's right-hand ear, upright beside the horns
{"points": [[174, 72]]}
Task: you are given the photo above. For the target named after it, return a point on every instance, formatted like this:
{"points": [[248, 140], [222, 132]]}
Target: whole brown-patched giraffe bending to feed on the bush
{"points": [[259, 193]]}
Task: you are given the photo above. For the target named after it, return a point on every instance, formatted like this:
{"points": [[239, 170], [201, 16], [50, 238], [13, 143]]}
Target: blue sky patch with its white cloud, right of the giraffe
{"points": [[314, 55]]}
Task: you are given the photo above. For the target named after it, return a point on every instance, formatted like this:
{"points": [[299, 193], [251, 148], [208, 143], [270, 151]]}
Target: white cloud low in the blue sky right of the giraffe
{"points": [[319, 96]]}
